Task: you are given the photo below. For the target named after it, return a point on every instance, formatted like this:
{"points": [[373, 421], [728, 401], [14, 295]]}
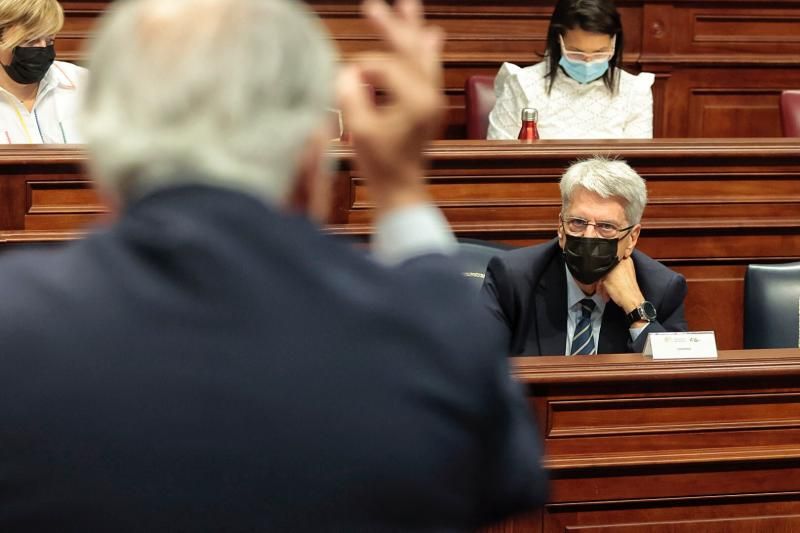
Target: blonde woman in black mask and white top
{"points": [[38, 95]]}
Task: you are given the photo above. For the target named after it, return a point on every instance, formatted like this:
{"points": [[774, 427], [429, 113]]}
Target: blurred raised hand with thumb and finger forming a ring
{"points": [[389, 140]]}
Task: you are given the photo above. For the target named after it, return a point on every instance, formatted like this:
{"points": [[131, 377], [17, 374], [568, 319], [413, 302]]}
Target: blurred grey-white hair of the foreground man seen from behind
{"points": [[220, 92]]}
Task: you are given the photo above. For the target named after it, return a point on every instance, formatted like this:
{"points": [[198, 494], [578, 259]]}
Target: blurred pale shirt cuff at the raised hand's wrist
{"points": [[410, 232]]}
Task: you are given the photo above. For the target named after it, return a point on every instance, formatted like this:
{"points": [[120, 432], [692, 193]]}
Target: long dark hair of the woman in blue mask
{"points": [[596, 16]]}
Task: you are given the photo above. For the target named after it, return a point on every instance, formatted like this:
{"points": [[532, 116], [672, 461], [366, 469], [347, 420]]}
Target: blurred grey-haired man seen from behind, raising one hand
{"points": [[212, 361]]}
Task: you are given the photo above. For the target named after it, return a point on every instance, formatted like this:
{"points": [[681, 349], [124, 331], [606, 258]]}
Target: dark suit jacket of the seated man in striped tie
{"points": [[525, 291]]}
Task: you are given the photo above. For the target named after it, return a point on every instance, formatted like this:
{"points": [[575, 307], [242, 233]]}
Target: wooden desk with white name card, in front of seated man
{"points": [[633, 445]]}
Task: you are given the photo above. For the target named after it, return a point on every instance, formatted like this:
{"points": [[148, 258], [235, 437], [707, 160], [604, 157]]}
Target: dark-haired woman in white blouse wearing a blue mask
{"points": [[578, 89]]}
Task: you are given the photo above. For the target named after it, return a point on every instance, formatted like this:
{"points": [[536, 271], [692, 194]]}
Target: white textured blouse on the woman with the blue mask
{"points": [[572, 110]]}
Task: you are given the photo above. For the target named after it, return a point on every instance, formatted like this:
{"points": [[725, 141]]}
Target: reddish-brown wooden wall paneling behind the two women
{"points": [[720, 64]]}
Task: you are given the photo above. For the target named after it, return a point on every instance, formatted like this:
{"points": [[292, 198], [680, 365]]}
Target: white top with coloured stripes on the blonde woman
{"points": [[53, 119]]}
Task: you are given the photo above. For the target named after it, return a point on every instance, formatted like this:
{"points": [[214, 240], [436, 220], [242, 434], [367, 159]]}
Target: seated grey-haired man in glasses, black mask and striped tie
{"points": [[589, 291]]}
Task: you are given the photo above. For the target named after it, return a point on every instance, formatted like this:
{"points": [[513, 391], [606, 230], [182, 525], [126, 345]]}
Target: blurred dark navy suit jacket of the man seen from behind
{"points": [[208, 364]]}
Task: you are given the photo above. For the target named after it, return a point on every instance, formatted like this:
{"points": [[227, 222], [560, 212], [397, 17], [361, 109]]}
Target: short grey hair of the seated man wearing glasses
{"points": [[607, 178]]}
